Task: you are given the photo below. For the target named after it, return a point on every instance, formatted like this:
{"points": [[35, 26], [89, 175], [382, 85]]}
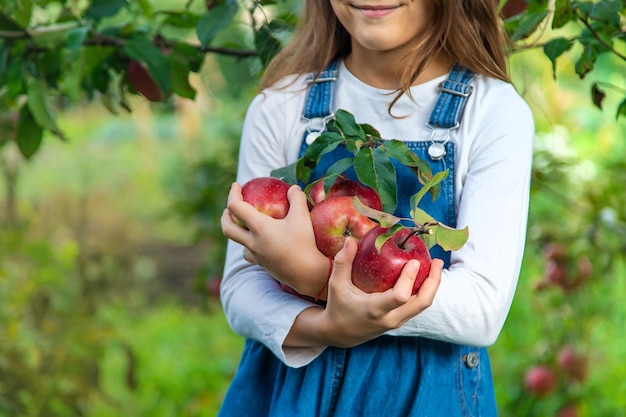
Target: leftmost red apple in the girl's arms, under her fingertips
{"points": [[268, 195]]}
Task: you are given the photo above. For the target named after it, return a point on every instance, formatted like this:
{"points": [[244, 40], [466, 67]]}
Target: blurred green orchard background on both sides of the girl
{"points": [[110, 246]]}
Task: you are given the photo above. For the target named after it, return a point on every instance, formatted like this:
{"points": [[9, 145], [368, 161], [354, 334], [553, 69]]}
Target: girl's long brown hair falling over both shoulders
{"points": [[468, 32]]}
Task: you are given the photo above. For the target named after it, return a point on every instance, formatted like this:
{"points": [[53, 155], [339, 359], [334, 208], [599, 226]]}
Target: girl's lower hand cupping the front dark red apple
{"points": [[351, 316]]}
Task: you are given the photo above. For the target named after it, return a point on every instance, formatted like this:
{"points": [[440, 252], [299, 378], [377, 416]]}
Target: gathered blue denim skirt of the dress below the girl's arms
{"points": [[389, 376]]}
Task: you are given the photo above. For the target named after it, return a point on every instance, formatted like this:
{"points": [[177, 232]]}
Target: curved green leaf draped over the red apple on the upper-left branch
{"points": [[142, 49]]}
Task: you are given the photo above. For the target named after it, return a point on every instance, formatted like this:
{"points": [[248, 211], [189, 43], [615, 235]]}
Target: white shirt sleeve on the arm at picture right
{"points": [[477, 290]]}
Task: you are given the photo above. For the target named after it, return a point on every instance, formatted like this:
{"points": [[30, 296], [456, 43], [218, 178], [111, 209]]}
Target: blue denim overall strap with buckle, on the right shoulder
{"points": [[453, 94]]}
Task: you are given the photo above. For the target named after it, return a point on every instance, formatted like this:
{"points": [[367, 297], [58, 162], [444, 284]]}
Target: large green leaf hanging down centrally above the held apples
{"points": [[375, 169]]}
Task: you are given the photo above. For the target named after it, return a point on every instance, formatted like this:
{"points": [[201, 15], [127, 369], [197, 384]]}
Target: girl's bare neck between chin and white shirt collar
{"points": [[385, 72]]}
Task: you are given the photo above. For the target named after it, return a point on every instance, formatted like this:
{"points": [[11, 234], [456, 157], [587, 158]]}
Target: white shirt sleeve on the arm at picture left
{"points": [[254, 304]]}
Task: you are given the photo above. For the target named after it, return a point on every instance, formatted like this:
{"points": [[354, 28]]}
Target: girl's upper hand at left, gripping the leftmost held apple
{"points": [[284, 247]]}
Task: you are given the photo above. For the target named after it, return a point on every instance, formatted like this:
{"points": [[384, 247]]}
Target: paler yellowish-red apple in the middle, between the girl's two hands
{"points": [[334, 219]]}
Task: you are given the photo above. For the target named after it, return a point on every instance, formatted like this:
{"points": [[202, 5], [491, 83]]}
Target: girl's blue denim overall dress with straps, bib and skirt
{"points": [[389, 376]]}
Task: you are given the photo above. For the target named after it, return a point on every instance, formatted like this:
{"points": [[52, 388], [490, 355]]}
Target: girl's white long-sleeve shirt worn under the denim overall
{"points": [[492, 179]]}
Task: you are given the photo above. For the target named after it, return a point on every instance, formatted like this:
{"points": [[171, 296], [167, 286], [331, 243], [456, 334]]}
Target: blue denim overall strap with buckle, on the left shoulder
{"points": [[320, 98]]}
